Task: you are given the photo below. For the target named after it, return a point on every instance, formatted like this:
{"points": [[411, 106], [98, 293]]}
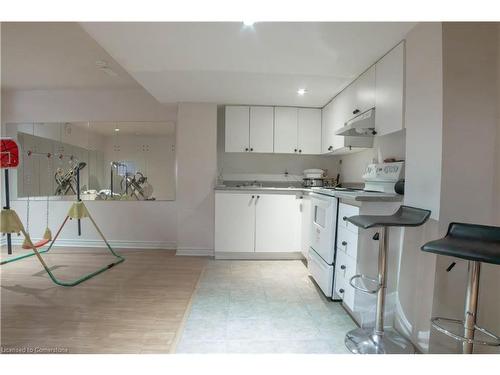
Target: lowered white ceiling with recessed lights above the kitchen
{"points": [[228, 63]]}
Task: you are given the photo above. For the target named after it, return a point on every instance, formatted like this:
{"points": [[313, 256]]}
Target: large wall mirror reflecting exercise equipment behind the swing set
{"points": [[113, 161]]}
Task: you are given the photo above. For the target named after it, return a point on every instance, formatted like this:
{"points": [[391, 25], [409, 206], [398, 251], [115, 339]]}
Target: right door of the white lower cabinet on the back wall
{"points": [[277, 223]]}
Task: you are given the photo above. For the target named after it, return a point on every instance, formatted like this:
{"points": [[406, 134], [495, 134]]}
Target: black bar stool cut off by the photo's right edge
{"points": [[477, 244]]}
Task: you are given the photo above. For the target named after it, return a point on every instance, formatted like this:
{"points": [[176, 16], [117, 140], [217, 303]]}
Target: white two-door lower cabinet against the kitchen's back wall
{"points": [[256, 225]]}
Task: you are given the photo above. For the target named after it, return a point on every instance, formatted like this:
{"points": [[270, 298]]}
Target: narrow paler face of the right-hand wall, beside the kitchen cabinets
{"points": [[423, 122]]}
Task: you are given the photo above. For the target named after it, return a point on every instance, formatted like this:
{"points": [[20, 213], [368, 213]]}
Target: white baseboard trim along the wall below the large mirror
{"points": [[146, 245]]}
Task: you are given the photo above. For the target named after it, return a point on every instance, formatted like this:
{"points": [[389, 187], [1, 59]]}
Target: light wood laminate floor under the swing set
{"points": [[135, 307]]}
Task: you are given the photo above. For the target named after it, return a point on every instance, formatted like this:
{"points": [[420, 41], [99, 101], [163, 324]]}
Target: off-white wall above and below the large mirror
{"points": [[139, 224]]}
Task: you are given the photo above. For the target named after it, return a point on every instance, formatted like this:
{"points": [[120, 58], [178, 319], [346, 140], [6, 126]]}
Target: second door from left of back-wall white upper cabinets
{"points": [[261, 129]]}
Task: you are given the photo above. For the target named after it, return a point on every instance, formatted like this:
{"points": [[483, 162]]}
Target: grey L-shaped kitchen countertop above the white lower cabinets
{"points": [[356, 195]]}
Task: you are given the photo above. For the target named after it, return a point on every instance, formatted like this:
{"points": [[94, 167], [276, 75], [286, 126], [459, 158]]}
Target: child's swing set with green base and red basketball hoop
{"points": [[10, 222]]}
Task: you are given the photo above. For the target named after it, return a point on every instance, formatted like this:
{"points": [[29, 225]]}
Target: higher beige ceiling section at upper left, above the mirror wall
{"points": [[50, 55]]}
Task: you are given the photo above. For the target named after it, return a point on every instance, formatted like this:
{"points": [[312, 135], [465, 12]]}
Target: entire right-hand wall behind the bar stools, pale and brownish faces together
{"points": [[451, 128]]}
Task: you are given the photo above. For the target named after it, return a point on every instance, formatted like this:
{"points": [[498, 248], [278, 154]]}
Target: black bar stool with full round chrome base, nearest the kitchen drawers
{"points": [[378, 341]]}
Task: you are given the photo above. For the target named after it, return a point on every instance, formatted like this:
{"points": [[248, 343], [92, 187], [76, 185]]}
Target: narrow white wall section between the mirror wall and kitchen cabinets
{"points": [[196, 173]]}
